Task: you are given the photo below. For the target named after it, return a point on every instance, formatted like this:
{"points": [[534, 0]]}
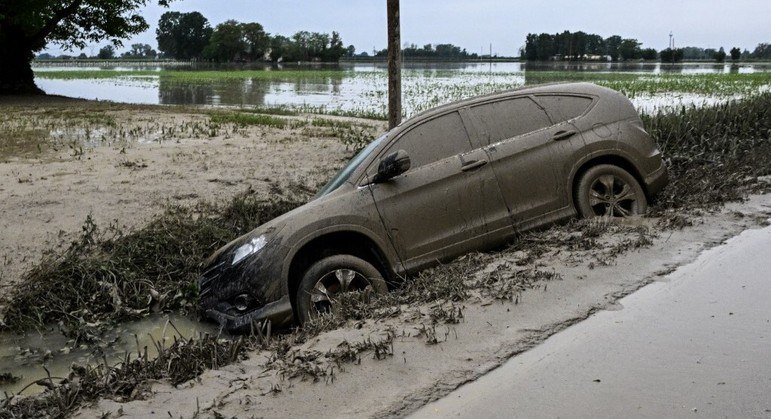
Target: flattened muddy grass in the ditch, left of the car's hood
{"points": [[106, 275]]}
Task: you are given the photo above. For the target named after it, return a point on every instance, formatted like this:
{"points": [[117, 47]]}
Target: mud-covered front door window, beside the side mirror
{"points": [[433, 140]]}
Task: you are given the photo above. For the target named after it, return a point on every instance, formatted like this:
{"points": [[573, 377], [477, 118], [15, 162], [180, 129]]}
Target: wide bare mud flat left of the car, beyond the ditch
{"points": [[63, 159]]}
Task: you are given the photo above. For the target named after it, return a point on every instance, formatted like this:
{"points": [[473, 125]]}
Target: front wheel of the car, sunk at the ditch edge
{"points": [[332, 276]]}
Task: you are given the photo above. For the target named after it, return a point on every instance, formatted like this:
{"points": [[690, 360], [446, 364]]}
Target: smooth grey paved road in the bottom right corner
{"points": [[697, 344]]}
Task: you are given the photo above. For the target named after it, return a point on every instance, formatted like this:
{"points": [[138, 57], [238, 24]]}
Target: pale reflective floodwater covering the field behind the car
{"points": [[361, 88]]}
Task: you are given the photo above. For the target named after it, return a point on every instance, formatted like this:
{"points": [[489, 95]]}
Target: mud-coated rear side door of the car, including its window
{"points": [[520, 140]]}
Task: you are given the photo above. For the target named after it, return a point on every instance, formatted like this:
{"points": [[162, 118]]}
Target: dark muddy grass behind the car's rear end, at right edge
{"points": [[715, 154]]}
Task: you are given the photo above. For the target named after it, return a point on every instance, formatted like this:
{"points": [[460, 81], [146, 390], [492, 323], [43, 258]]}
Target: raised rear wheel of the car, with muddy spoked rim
{"points": [[609, 191]]}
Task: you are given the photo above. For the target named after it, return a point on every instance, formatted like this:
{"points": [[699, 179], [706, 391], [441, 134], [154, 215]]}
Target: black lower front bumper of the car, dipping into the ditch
{"points": [[279, 313]]}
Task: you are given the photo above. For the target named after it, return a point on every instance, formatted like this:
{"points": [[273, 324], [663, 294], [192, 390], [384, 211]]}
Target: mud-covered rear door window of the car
{"points": [[509, 118]]}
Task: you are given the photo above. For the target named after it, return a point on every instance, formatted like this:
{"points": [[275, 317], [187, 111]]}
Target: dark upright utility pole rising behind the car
{"points": [[394, 66]]}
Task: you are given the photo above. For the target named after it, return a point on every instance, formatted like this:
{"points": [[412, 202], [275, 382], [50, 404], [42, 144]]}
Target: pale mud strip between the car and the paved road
{"points": [[427, 359]]}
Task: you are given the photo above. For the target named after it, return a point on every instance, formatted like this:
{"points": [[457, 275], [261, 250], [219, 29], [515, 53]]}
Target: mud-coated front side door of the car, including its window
{"points": [[439, 208]]}
